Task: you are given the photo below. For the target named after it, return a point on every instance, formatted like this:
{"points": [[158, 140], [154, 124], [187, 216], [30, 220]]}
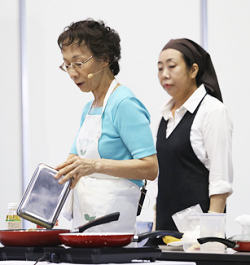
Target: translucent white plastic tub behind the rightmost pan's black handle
{"points": [[212, 225]]}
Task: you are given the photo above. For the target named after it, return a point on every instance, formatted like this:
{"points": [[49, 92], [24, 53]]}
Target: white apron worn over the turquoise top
{"points": [[99, 194]]}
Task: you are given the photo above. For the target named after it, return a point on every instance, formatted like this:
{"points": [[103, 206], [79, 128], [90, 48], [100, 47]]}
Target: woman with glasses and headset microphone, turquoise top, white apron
{"points": [[113, 151]]}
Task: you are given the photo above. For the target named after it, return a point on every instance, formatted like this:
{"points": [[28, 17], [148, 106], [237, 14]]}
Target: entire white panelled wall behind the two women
{"points": [[144, 26]]}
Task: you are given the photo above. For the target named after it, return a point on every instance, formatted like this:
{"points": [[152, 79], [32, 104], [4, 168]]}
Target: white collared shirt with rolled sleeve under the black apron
{"points": [[210, 136]]}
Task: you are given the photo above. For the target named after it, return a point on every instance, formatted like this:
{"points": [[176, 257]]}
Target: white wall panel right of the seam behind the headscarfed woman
{"points": [[229, 42]]}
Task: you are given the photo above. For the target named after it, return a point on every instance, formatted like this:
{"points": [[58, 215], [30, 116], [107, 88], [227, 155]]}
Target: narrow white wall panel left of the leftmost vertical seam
{"points": [[10, 108]]}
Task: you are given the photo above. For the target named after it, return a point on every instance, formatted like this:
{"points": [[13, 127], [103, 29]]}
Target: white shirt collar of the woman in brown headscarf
{"points": [[190, 104]]}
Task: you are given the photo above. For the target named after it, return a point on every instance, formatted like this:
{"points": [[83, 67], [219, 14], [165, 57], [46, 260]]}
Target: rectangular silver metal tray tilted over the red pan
{"points": [[44, 197]]}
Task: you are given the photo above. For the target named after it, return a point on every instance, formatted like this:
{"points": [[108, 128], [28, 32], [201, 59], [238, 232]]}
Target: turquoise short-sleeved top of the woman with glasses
{"points": [[126, 132]]}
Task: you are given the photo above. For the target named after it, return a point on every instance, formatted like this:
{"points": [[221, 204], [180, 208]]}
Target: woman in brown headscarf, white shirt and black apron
{"points": [[194, 139]]}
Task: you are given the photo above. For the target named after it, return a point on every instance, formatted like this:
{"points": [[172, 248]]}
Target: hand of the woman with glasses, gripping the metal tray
{"points": [[74, 167]]}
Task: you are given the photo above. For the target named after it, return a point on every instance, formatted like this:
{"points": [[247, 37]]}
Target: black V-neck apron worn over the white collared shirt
{"points": [[183, 178]]}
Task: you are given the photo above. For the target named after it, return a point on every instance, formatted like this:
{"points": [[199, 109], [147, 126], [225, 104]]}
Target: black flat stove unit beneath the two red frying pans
{"points": [[80, 255]]}
